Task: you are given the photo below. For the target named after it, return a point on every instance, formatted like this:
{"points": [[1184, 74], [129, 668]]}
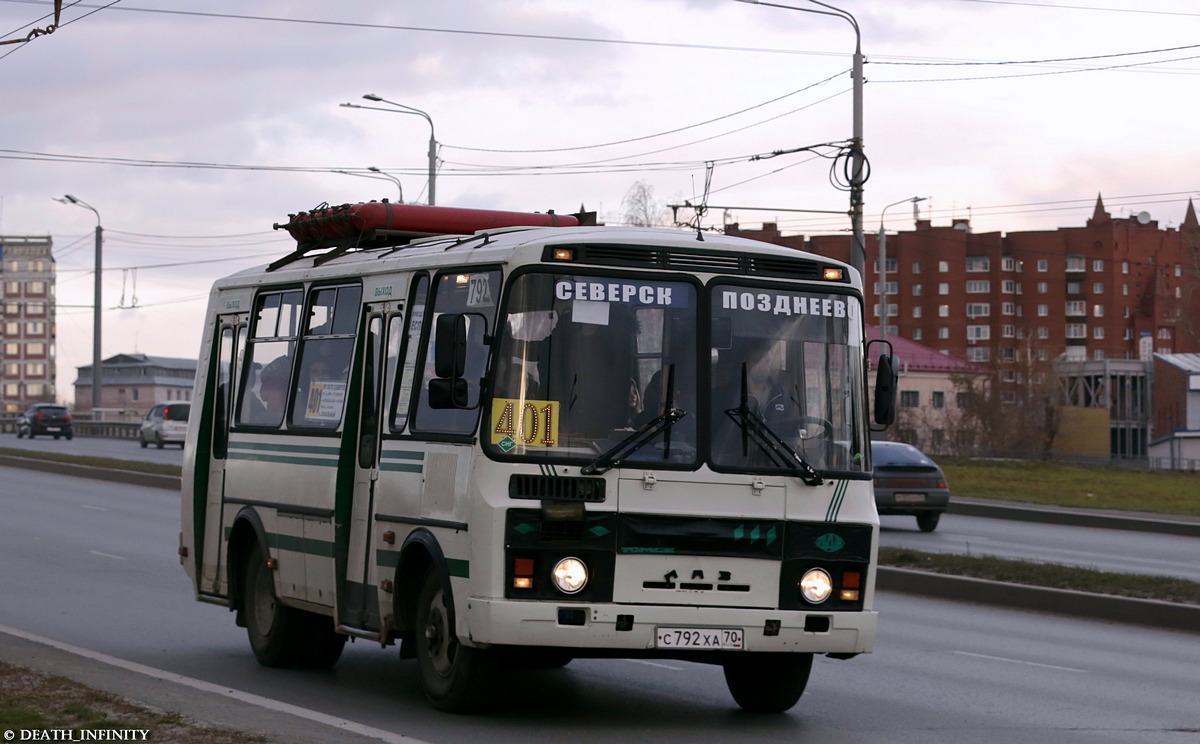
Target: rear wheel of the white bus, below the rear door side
{"points": [[278, 633]]}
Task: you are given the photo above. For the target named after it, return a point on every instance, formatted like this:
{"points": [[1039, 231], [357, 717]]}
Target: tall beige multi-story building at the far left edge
{"points": [[29, 327]]}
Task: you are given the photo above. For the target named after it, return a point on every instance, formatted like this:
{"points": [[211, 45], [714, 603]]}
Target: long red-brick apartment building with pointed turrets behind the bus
{"points": [[1117, 289]]}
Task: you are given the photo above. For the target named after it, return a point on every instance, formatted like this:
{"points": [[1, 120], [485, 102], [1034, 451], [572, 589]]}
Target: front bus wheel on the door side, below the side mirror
{"points": [[454, 676]]}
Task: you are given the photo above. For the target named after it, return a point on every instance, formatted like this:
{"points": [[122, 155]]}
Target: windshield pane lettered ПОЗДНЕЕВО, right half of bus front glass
{"points": [[788, 386]]}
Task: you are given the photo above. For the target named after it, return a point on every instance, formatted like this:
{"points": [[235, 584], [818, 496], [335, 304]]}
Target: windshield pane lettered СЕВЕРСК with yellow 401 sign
{"points": [[585, 362]]}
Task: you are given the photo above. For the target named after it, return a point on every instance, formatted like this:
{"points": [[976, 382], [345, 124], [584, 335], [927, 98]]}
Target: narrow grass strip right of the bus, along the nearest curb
{"points": [[1030, 573]]}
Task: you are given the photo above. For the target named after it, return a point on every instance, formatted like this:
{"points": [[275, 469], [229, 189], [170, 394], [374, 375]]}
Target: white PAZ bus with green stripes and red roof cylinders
{"points": [[499, 439]]}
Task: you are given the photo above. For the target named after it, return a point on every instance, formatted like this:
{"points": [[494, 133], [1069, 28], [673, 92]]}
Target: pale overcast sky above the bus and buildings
{"points": [[1013, 115]]}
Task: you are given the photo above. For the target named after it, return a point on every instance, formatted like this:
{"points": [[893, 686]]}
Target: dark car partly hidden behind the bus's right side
{"points": [[908, 482]]}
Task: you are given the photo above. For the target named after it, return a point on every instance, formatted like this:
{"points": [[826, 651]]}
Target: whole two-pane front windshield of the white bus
{"points": [[607, 370]]}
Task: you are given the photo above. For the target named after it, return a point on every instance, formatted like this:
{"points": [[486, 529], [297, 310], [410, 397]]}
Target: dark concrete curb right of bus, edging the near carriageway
{"points": [[1155, 614]]}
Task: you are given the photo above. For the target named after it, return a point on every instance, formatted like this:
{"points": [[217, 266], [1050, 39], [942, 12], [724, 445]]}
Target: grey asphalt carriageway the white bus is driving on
{"points": [[94, 565]]}
